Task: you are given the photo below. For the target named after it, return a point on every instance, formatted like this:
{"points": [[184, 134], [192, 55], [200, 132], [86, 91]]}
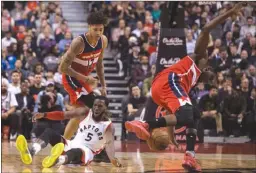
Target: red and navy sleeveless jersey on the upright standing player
{"points": [[86, 61]]}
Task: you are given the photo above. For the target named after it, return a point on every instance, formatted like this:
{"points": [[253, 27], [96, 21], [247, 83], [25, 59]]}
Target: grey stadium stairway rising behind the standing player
{"points": [[76, 14]]}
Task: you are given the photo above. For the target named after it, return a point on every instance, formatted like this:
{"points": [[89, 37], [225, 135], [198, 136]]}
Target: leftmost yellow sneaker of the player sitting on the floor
{"points": [[22, 147]]}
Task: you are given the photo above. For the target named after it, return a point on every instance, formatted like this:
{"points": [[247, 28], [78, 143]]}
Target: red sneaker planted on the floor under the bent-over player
{"points": [[189, 163]]}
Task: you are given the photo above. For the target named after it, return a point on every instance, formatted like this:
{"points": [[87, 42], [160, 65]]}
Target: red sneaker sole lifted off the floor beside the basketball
{"points": [[140, 131]]}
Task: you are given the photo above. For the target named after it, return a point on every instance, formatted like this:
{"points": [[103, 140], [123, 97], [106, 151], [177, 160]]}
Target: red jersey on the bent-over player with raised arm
{"points": [[185, 72]]}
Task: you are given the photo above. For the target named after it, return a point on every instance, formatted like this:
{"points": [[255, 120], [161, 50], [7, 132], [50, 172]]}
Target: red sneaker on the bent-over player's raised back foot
{"points": [[139, 128]]}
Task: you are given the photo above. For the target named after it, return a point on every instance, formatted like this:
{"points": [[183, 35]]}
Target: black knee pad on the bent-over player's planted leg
{"points": [[184, 116]]}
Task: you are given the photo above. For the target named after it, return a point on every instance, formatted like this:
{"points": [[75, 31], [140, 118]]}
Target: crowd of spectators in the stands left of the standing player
{"points": [[34, 37]]}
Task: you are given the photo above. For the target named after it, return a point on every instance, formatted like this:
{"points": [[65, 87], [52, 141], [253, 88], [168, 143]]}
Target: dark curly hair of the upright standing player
{"points": [[96, 18]]}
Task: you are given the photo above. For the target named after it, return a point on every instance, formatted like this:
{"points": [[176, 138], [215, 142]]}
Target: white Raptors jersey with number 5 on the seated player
{"points": [[91, 133]]}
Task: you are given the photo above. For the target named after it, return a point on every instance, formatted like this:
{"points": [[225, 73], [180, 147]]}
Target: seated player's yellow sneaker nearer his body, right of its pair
{"points": [[51, 160]]}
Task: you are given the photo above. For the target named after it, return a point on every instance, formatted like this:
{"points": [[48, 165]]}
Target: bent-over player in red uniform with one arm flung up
{"points": [[170, 90]]}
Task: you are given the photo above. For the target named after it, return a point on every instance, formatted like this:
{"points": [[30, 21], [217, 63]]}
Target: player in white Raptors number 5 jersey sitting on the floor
{"points": [[95, 133]]}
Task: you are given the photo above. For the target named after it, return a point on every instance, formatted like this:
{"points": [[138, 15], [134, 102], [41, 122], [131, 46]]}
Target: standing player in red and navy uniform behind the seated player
{"points": [[84, 54]]}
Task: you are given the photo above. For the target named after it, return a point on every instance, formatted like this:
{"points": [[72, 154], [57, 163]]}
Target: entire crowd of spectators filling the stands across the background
{"points": [[35, 35]]}
